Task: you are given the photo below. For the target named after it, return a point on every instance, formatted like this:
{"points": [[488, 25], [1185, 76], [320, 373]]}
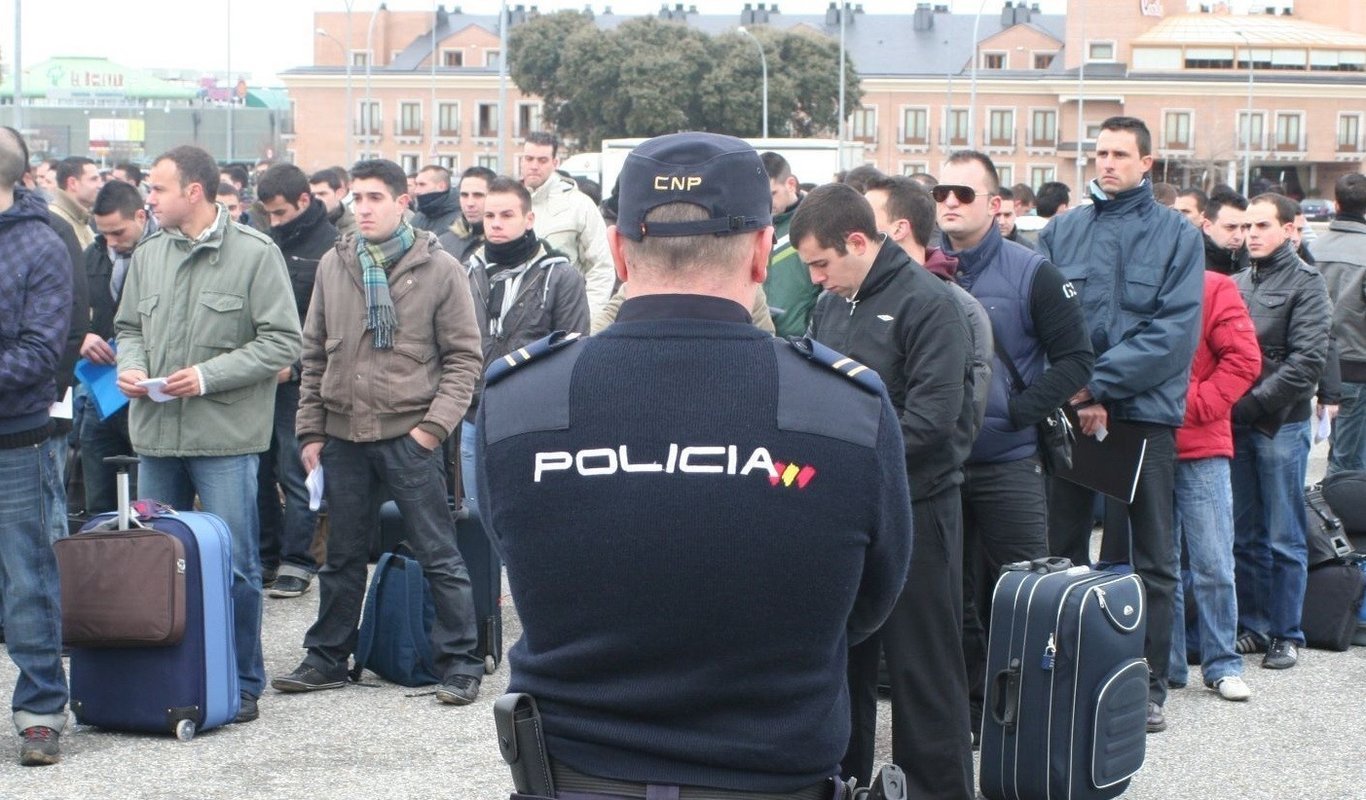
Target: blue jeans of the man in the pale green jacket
{"points": [[226, 487]]}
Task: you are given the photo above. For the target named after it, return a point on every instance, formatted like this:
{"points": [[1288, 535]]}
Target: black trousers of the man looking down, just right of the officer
{"points": [[923, 640]]}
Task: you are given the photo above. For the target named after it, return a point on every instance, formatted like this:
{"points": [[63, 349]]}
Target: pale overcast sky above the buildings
{"points": [[270, 36]]}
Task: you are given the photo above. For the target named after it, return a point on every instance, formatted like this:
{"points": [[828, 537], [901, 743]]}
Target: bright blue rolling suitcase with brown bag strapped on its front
{"points": [[180, 689]]}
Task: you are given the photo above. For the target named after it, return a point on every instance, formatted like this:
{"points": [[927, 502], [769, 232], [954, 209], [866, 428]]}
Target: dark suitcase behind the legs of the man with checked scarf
{"points": [[486, 574]]}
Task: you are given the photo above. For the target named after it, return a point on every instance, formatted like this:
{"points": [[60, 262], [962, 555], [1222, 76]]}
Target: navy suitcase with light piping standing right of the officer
{"points": [[1068, 685]]}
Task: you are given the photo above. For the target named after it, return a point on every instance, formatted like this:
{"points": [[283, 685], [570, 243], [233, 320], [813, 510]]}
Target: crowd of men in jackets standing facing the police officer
{"points": [[345, 319]]}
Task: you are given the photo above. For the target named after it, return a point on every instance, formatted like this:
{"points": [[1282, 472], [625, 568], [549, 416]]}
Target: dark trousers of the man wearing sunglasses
{"points": [[1005, 521]]}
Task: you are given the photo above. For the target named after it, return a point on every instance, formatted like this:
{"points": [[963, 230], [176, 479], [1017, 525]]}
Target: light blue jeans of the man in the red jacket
{"points": [[1205, 524]]}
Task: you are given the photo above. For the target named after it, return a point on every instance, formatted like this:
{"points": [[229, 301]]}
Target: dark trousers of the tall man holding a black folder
{"points": [[1154, 551]]}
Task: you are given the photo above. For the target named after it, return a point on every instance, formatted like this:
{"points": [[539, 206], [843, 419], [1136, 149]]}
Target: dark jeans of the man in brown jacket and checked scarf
{"points": [[356, 473]]}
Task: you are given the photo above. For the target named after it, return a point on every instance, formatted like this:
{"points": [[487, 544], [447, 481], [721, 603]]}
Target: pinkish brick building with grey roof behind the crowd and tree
{"points": [[1042, 84]]}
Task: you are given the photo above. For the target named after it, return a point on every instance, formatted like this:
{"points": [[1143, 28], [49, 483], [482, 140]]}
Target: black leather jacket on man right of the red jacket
{"points": [[1289, 304]]}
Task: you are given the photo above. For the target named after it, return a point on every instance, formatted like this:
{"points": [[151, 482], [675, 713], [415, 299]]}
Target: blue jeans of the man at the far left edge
{"points": [[32, 517]]}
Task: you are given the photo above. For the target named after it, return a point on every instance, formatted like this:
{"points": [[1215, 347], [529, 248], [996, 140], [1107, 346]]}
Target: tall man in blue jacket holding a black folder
{"points": [[1139, 270]]}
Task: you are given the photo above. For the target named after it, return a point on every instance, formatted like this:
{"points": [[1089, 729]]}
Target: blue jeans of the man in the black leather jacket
{"points": [[1270, 529]]}
